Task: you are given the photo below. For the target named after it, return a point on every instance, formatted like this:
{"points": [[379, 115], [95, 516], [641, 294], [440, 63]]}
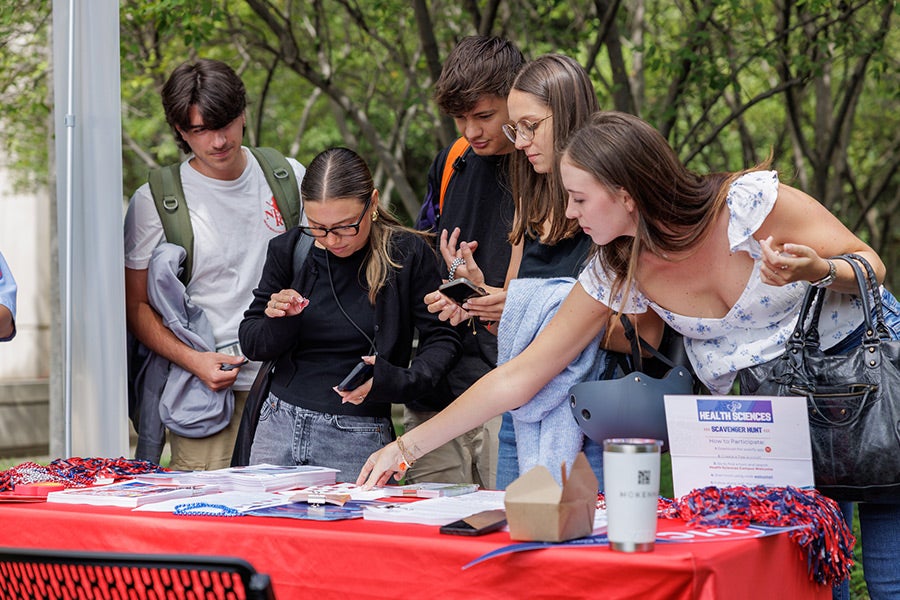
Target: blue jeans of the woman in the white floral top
{"points": [[879, 524]]}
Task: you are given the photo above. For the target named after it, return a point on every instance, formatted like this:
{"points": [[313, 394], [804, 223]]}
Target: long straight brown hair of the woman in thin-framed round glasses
{"points": [[564, 87]]}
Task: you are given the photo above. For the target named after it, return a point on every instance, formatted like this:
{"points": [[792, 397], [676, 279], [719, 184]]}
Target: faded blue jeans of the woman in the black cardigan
{"points": [[290, 435]]}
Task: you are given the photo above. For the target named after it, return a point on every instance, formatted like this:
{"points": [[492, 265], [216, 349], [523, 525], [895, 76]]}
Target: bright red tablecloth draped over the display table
{"points": [[365, 559]]}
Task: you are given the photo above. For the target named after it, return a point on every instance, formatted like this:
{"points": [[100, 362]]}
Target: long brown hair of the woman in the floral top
{"points": [[676, 208]]}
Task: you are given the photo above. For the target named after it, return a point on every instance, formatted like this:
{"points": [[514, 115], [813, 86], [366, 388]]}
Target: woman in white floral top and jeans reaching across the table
{"points": [[723, 258]]}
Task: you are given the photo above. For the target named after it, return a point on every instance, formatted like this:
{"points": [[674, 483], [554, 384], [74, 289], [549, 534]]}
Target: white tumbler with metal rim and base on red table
{"points": [[631, 488]]}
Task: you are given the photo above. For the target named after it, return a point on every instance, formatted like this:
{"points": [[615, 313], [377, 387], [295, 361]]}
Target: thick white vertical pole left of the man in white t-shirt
{"points": [[93, 387]]}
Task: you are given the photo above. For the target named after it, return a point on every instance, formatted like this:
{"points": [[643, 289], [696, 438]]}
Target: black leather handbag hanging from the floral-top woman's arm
{"points": [[853, 399]]}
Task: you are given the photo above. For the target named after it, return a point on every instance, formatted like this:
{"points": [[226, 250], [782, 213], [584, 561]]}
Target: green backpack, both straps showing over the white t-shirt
{"points": [[168, 195]]}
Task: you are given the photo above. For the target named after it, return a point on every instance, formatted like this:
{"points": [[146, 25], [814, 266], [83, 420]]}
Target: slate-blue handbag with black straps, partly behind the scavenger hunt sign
{"points": [[627, 402]]}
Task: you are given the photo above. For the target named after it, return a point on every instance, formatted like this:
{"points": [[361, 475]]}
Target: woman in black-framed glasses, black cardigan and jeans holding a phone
{"points": [[357, 297]]}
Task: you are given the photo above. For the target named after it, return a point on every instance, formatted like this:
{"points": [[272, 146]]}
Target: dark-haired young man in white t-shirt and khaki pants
{"points": [[233, 216]]}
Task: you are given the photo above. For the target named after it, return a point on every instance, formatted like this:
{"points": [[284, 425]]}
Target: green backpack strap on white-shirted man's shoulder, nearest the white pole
{"points": [[168, 196]]}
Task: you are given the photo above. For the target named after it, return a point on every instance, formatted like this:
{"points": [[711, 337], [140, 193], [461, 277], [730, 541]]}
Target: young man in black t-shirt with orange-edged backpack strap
{"points": [[472, 89]]}
